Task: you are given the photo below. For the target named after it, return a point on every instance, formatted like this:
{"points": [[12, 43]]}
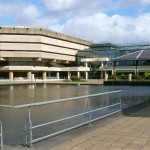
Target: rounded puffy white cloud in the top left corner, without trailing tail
{"points": [[20, 13]]}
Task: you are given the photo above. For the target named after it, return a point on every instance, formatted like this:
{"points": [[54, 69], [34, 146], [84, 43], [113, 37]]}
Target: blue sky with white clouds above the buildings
{"points": [[115, 21]]}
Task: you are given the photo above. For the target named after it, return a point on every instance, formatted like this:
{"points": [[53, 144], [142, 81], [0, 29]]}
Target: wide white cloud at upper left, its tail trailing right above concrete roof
{"points": [[25, 14]]}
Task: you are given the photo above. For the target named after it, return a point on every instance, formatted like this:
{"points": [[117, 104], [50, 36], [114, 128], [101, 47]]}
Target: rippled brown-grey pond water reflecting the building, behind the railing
{"points": [[14, 119]]}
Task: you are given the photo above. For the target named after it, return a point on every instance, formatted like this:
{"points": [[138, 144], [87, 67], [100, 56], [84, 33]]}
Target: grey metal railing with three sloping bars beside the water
{"points": [[29, 127]]}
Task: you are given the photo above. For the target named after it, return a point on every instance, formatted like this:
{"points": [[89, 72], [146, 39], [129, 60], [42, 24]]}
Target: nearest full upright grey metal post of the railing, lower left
{"points": [[30, 127]]}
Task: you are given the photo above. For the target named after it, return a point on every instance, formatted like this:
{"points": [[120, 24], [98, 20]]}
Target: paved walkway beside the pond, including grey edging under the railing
{"points": [[129, 131]]}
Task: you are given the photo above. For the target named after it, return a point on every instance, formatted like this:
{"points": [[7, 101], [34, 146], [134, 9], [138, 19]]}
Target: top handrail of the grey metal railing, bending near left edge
{"points": [[58, 101]]}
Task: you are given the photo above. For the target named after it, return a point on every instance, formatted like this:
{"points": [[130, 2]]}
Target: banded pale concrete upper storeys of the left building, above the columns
{"points": [[21, 42]]}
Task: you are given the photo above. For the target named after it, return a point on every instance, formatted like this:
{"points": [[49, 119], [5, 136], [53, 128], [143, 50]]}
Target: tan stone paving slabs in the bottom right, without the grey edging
{"points": [[127, 133]]}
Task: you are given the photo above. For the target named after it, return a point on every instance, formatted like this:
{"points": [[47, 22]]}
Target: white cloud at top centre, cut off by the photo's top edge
{"points": [[72, 8]]}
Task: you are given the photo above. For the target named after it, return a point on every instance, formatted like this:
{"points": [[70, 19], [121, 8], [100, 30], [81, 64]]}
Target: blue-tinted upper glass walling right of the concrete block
{"points": [[111, 51]]}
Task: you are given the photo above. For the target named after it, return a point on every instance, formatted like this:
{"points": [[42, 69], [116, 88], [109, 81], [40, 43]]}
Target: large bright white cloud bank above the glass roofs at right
{"points": [[116, 29]]}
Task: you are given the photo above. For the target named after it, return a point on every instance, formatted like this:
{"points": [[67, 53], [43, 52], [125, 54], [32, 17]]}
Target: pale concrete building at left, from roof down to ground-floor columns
{"points": [[35, 53]]}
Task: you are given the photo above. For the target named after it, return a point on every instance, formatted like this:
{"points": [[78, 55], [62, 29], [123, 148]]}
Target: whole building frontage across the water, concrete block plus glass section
{"points": [[35, 53]]}
